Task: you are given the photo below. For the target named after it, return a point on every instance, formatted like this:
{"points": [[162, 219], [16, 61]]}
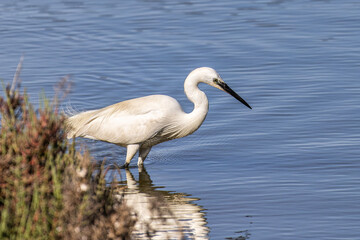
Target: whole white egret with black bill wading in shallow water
{"points": [[140, 123]]}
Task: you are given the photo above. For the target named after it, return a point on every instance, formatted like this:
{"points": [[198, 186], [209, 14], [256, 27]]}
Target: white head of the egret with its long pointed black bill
{"points": [[210, 76]]}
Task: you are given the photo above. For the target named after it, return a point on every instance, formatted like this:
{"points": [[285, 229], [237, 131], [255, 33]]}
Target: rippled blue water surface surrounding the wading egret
{"points": [[288, 169]]}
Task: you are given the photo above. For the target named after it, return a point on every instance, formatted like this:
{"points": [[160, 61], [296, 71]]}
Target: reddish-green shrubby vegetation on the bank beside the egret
{"points": [[48, 190]]}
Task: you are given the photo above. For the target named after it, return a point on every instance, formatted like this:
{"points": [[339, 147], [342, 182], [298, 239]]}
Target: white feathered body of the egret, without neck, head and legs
{"points": [[141, 120]]}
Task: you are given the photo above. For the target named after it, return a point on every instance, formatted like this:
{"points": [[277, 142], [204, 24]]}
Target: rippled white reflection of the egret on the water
{"points": [[168, 215]]}
